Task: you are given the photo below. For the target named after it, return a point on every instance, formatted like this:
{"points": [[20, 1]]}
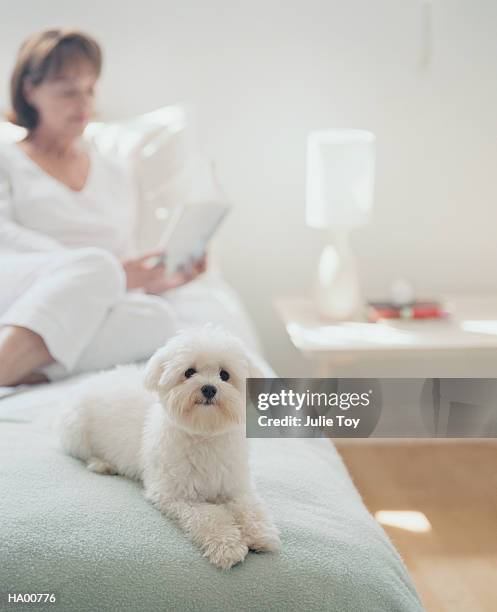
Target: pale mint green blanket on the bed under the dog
{"points": [[99, 546]]}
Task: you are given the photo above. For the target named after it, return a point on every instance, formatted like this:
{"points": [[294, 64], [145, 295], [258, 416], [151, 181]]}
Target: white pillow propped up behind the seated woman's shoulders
{"points": [[157, 146]]}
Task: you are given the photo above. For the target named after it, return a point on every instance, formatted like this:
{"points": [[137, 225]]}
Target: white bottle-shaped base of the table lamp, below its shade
{"points": [[338, 296]]}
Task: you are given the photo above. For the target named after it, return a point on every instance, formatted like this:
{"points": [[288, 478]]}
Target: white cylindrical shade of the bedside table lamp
{"points": [[340, 178]]}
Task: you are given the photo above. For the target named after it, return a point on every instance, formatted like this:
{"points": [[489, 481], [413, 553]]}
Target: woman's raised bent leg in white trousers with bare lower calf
{"points": [[59, 298]]}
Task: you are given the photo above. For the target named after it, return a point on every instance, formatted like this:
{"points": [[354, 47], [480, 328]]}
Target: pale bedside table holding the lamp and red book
{"points": [[472, 327]]}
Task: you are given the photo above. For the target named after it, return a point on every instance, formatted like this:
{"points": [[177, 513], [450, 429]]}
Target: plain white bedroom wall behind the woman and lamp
{"points": [[262, 73]]}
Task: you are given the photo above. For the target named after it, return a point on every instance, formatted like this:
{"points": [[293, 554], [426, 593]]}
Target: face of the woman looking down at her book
{"points": [[64, 102]]}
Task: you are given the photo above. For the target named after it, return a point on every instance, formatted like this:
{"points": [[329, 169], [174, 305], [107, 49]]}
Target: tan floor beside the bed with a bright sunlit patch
{"points": [[454, 483]]}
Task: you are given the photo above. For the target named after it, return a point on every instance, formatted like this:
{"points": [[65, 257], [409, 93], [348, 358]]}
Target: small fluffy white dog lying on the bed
{"points": [[179, 427]]}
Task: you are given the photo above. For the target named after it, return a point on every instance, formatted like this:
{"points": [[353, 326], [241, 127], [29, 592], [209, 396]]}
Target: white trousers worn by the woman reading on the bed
{"points": [[76, 300]]}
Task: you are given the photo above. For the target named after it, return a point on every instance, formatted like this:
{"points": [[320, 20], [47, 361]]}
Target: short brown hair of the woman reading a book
{"points": [[45, 55]]}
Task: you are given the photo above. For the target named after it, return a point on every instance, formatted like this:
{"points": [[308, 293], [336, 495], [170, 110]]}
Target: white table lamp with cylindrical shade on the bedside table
{"points": [[339, 197]]}
